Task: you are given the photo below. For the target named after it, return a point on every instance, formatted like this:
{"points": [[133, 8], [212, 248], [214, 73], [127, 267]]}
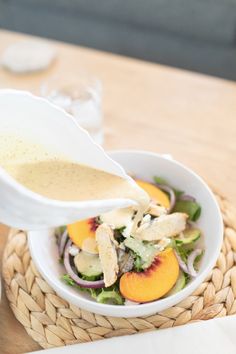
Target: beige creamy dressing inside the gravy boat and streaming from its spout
{"points": [[56, 177]]}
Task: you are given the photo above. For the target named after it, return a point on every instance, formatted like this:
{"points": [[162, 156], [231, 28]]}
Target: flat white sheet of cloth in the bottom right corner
{"points": [[214, 337]]}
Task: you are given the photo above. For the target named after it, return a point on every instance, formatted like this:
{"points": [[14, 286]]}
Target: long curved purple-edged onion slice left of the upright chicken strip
{"points": [[81, 282]]}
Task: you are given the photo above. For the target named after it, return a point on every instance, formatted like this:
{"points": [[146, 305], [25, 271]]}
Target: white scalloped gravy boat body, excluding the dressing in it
{"points": [[36, 119]]}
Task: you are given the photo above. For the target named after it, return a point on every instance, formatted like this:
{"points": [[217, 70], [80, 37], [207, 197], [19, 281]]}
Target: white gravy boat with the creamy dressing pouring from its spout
{"points": [[39, 179]]}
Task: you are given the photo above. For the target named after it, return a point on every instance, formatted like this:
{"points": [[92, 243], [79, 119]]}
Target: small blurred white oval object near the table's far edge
{"points": [[28, 56]]}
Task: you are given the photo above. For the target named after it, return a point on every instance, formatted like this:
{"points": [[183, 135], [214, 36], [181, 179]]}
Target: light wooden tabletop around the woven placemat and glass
{"points": [[146, 106]]}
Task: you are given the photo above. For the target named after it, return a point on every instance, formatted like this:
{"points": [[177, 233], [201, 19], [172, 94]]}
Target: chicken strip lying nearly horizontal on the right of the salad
{"points": [[163, 226]]}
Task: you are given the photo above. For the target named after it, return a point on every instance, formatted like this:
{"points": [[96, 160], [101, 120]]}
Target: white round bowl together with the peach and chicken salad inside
{"points": [[106, 266]]}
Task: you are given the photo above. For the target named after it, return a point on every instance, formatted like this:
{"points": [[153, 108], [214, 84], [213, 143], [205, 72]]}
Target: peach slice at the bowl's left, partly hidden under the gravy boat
{"points": [[82, 234]]}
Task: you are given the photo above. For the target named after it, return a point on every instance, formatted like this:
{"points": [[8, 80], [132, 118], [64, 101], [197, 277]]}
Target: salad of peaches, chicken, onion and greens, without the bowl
{"points": [[117, 263]]}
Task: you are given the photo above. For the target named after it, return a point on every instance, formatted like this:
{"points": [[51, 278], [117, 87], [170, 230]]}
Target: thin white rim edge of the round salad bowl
{"points": [[146, 308]]}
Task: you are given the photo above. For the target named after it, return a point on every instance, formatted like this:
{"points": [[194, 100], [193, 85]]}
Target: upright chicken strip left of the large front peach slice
{"points": [[107, 254]]}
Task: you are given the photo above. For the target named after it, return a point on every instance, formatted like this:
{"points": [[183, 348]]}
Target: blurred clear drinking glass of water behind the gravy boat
{"points": [[80, 95]]}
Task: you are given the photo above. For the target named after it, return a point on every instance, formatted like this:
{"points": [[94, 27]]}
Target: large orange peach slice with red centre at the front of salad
{"points": [[154, 282]]}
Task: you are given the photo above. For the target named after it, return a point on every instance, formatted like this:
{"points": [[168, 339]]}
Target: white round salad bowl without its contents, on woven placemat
{"points": [[144, 165]]}
